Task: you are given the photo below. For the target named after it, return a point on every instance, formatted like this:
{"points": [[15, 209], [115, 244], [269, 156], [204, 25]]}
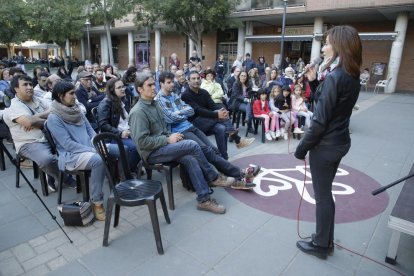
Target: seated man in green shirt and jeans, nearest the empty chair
{"points": [[156, 144]]}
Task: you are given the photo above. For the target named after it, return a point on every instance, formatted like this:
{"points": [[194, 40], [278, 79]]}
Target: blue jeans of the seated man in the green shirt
{"points": [[188, 154]]}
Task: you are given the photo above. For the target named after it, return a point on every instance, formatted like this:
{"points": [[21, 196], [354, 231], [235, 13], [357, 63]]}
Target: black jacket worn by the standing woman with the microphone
{"points": [[335, 97]]}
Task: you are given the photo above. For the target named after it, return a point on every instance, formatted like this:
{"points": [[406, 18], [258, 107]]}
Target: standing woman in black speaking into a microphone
{"points": [[335, 88]]}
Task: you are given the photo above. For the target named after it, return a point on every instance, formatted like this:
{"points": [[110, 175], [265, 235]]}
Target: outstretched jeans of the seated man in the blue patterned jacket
{"points": [[211, 153]]}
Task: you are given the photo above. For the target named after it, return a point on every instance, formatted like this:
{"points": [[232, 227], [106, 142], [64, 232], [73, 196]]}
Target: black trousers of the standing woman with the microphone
{"points": [[324, 162]]}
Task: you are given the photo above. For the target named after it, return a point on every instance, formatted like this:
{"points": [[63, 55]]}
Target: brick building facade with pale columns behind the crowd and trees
{"points": [[385, 27]]}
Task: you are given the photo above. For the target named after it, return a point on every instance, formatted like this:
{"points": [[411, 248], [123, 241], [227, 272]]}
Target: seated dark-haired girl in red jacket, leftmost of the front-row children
{"points": [[261, 109]]}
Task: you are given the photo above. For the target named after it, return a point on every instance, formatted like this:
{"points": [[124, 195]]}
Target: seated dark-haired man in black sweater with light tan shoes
{"points": [[209, 120]]}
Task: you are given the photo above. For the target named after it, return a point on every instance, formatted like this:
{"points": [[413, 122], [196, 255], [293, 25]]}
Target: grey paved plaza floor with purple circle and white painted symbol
{"points": [[256, 236]]}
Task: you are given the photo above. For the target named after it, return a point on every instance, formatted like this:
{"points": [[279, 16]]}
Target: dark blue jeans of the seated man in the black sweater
{"points": [[220, 129]]}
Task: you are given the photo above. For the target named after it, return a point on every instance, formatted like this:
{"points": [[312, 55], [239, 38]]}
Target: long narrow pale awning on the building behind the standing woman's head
{"points": [[278, 38]]}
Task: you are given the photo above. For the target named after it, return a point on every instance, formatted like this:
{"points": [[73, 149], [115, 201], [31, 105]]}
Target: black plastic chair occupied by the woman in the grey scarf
{"points": [[82, 176]]}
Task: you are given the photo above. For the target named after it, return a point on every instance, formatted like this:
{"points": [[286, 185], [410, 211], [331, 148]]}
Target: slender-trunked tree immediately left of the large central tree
{"points": [[106, 11]]}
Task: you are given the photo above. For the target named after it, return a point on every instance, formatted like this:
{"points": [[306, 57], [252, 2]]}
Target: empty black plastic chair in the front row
{"points": [[129, 191]]}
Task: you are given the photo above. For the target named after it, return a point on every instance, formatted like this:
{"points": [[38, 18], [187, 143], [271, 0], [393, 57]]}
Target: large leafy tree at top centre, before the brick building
{"points": [[189, 17]]}
